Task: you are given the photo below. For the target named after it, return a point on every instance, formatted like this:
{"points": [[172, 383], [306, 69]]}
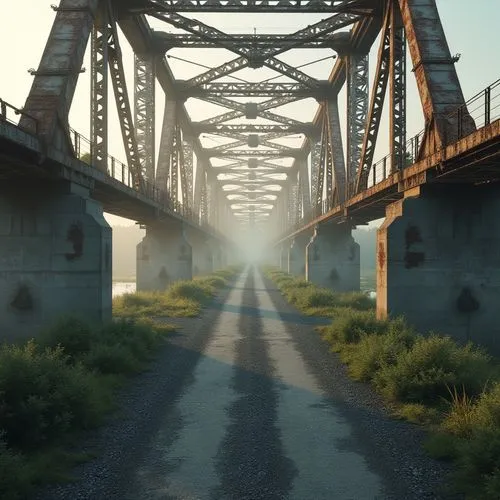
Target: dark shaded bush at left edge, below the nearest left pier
{"points": [[42, 396]]}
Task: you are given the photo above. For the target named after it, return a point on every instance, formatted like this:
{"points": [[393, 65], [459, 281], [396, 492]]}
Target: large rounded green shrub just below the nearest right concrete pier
{"points": [[424, 372]]}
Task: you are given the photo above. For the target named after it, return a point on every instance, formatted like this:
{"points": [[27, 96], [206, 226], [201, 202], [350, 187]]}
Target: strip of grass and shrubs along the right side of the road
{"points": [[452, 389]]}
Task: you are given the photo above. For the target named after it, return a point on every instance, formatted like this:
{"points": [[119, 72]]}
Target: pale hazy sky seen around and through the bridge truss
{"points": [[471, 32]]}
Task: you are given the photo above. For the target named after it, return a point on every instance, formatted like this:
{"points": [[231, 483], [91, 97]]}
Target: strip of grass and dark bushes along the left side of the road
{"points": [[55, 387]]}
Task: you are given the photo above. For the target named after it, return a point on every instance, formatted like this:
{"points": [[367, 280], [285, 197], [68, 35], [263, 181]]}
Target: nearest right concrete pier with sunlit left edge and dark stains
{"points": [[438, 262]]}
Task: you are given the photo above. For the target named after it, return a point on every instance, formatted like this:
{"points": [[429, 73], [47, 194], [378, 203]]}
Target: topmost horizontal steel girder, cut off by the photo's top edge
{"points": [[273, 6]]}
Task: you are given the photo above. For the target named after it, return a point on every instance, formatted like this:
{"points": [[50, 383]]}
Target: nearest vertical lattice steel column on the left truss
{"points": [[99, 91]]}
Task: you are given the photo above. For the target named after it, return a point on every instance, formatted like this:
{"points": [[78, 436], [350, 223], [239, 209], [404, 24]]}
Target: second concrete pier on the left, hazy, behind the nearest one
{"points": [[163, 256]]}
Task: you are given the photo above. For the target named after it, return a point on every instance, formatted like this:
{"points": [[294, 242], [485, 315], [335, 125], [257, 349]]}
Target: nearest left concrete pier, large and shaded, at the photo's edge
{"points": [[55, 257]]}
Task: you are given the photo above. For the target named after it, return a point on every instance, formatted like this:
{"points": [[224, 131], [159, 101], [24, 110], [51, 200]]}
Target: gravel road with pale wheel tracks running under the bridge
{"points": [[247, 403]]}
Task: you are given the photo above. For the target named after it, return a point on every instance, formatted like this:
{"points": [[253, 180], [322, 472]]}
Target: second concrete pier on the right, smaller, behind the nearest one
{"points": [[332, 258]]}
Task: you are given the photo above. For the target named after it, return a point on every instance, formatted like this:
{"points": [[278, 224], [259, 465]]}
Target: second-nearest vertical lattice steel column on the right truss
{"points": [[357, 110]]}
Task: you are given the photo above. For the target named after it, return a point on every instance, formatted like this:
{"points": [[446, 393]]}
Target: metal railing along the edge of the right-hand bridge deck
{"points": [[478, 112]]}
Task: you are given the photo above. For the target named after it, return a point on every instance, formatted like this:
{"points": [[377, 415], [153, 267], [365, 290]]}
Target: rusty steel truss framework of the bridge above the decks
{"points": [[250, 175]]}
